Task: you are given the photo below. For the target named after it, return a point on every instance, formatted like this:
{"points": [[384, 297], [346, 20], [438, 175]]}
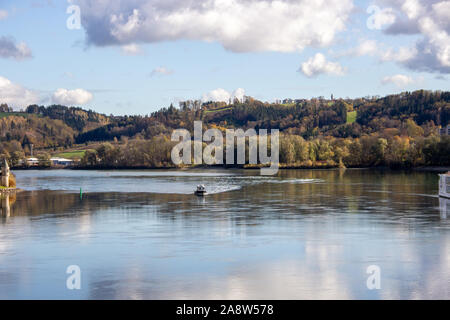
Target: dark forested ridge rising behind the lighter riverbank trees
{"points": [[307, 118]]}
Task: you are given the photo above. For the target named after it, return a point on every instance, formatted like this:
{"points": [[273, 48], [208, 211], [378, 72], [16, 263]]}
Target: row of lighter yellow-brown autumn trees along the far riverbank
{"points": [[368, 151]]}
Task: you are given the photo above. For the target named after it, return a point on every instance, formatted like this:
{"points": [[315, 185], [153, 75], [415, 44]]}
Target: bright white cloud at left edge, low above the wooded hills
{"points": [[15, 95]]}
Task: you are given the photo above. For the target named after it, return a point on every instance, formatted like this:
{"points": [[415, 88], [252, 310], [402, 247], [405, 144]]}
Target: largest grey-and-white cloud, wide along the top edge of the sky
{"points": [[239, 25]]}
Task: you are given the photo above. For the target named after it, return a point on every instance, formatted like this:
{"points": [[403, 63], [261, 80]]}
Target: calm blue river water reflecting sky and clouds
{"points": [[299, 235]]}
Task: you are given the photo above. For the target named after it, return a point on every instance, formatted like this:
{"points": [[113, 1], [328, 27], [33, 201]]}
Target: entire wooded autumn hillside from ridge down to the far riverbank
{"points": [[400, 131]]}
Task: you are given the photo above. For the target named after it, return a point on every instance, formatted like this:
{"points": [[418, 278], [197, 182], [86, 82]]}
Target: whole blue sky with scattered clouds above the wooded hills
{"points": [[137, 56]]}
